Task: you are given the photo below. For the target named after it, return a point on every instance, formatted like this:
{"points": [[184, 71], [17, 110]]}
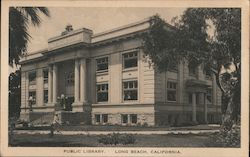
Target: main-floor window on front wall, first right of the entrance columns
{"points": [[102, 92]]}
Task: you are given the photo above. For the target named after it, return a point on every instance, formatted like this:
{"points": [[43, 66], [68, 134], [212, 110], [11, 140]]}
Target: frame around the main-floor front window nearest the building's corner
{"points": [[130, 89]]}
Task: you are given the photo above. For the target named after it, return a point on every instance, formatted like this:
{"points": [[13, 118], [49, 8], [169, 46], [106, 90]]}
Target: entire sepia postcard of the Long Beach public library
{"points": [[139, 80]]}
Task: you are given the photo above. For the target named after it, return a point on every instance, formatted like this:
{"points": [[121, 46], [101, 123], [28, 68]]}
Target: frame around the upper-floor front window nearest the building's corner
{"points": [[135, 56]]}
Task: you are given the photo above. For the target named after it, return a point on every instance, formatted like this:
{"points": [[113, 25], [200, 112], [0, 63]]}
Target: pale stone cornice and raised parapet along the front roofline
{"points": [[84, 37]]}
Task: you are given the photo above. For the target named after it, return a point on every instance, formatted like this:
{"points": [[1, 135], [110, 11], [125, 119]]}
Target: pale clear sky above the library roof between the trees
{"points": [[97, 19]]}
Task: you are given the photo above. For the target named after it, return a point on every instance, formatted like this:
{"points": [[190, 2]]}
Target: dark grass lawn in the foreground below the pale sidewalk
{"points": [[170, 140]]}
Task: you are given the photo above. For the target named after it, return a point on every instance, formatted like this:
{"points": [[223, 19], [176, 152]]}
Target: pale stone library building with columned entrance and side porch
{"points": [[106, 79]]}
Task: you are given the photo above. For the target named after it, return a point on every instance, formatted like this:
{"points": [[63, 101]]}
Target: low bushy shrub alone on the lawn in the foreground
{"points": [[116, 138]]}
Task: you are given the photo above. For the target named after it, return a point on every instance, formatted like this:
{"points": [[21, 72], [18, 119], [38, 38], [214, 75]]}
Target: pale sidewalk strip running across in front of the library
{"points": [[32, 132]]}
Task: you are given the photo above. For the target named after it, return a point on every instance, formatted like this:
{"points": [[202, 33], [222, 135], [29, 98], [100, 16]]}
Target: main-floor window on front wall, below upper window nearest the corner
{"points": [[130, 91]]}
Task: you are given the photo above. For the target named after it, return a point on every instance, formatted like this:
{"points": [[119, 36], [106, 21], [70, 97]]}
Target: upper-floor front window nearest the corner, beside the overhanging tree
{"points": [[130, 60]]}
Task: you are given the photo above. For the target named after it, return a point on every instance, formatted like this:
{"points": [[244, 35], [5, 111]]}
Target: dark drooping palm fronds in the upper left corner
{"points": [[19, 20]]}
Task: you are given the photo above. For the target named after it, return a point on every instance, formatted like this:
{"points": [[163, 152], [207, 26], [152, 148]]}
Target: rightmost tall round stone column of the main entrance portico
{"points": [[83, 80]]}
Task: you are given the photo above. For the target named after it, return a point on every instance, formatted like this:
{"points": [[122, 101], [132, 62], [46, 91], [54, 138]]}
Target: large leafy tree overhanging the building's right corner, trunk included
{"points": [[190, 41]]}
